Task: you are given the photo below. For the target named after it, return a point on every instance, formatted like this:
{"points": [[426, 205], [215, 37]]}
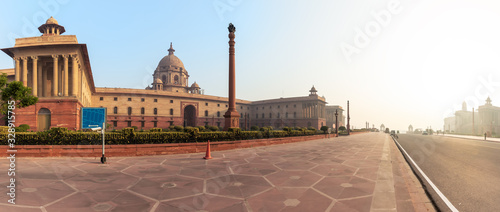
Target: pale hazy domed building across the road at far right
{"points": [[484, 120]]}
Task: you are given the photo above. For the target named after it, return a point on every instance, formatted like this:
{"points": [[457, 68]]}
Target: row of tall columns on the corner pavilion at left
{"points": [[40, 68]]}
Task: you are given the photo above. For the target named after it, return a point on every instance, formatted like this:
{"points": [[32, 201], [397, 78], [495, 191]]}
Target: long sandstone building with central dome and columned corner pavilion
{"points": [[58, 70]]}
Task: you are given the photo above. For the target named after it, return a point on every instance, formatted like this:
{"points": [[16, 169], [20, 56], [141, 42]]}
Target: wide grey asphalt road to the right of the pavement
{"points": [[466, 171]]}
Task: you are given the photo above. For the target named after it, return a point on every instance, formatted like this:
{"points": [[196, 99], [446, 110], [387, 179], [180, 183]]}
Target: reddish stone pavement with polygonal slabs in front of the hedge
{"points": [[364, 172]]}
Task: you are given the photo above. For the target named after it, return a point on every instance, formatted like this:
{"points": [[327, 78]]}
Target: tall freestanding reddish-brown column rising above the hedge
{"points": [[232, 117]]}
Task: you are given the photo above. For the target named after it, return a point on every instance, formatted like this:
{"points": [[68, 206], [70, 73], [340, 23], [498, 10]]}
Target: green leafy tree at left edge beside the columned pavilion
{"points": [[14, 91]]}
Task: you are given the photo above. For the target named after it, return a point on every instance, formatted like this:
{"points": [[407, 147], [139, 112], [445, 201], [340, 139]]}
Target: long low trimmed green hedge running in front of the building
{"points": [[60, 136]]}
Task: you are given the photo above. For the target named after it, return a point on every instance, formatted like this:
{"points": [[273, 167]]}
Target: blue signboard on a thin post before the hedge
{"points": [[94, 118]]}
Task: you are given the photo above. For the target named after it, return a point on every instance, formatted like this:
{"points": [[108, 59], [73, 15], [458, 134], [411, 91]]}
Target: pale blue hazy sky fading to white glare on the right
{"points": [[398, 62]]}
